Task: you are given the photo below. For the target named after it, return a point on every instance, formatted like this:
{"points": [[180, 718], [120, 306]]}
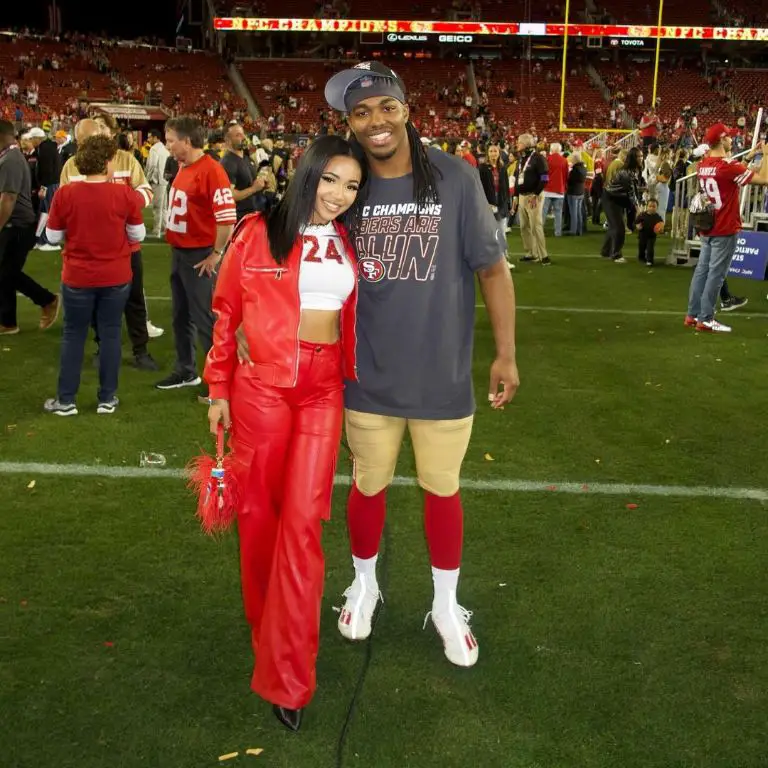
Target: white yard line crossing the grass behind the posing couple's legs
{"points": [[510, 486]]}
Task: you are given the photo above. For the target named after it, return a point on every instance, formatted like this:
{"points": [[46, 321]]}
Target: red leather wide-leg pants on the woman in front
{"points": [[285, 444]]}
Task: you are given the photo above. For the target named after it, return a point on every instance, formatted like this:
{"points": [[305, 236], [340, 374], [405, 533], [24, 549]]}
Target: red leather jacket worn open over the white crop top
{"points": [[263, 296]]}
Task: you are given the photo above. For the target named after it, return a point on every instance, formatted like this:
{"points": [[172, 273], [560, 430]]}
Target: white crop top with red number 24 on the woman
{"points": [[326, 277]]}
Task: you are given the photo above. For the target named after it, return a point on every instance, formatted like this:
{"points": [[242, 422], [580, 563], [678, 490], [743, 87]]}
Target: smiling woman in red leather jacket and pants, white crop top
{"points": [[289, 278]]}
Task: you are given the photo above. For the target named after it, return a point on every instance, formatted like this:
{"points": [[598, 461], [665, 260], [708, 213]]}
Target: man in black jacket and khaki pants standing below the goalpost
{"points": [[532, 175]]}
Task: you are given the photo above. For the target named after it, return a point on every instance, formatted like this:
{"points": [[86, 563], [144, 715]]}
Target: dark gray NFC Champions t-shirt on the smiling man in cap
{"points": [[416, 308]]}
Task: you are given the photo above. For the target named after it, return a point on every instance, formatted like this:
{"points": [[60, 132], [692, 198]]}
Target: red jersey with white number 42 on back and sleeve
{"points": [[200, 200]]}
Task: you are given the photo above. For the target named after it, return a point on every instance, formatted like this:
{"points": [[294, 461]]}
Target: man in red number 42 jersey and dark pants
{"points": [[201, 214]]}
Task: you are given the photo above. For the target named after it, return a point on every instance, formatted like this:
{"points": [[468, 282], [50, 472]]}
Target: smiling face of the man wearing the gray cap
{"points": [[379, 126]]}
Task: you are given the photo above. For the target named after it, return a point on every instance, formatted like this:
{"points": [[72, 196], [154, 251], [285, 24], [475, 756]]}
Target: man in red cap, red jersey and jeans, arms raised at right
{"points": [[721, 179]]}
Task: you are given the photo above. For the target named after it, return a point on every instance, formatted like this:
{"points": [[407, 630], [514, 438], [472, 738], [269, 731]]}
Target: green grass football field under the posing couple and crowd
{"points": [[612, 636]]}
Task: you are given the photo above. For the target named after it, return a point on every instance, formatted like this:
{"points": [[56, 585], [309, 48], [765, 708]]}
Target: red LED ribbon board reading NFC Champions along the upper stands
{"points": [[257, 24]]}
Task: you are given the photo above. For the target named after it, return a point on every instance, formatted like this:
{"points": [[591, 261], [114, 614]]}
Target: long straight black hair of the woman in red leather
{"points": [[286, 219]]}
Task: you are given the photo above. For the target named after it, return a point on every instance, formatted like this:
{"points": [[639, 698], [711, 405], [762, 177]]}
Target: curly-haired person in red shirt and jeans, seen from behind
{"points": [[101, 222]]}
